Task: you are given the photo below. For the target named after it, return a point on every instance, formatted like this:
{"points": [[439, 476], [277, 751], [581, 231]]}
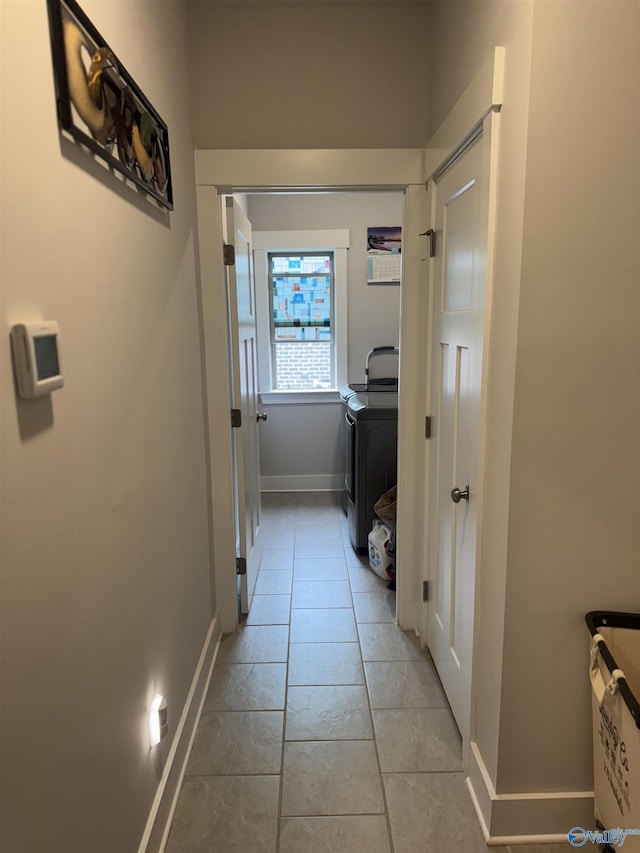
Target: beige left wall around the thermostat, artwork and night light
{"points": [[106, 587]]}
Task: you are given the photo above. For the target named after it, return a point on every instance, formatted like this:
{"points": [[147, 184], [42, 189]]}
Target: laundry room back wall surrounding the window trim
{"points": [[306, 440]]}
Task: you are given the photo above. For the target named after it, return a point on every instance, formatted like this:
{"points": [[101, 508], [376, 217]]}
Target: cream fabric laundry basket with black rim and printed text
{"points": [[615, 683]]}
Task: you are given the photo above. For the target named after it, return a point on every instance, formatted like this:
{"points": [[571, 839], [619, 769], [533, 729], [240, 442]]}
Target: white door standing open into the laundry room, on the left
{"points": [[242, 316]]}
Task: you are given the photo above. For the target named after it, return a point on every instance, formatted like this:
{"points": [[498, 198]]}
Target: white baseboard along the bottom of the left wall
{"points": [[156, 832]]}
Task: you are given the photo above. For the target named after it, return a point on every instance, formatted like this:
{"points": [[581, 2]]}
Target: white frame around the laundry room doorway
{"points": [[227, 171]]}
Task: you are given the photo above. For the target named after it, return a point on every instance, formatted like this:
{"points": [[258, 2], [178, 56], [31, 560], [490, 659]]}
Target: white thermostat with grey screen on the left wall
{"points": [[36, 358]]}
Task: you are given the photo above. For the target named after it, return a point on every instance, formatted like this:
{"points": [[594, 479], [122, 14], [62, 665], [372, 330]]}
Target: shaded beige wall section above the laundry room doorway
{"points": [[309, 76]]}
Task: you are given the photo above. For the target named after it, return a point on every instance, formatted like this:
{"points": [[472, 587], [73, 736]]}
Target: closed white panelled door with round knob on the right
{"points": [[461, 216]]}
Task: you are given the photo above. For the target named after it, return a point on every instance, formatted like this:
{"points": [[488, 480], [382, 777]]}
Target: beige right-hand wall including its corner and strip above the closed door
{"points": [[560, 534]]}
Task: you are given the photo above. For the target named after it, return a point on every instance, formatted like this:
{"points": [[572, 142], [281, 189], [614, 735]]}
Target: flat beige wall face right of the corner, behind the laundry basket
{"points": [[575, 532]]}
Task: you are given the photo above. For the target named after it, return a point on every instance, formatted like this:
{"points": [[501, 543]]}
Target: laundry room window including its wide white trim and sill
{"points": [[301, 303]]}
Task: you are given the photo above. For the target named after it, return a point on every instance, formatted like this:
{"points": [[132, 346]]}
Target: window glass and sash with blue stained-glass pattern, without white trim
{"points": [[302, 327]]}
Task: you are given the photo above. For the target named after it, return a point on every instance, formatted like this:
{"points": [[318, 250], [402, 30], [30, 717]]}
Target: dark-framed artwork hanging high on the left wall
{"points": [[102, 108]]}
